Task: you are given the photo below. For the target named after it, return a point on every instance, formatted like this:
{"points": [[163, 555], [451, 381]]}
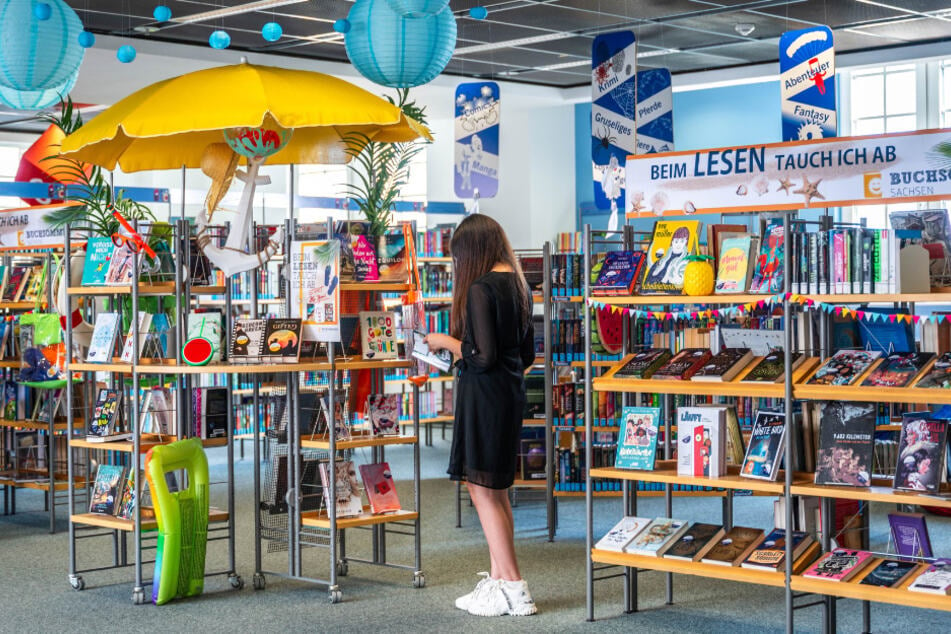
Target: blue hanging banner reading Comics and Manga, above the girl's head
{"points": [[477, 140]]}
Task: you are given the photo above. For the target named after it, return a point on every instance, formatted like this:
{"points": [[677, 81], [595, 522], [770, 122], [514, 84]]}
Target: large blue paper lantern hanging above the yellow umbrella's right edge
{"points": [[391, 50]]}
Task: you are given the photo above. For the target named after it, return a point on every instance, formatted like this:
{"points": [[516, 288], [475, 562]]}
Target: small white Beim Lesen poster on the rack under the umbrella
{"points": [[315, 288]]}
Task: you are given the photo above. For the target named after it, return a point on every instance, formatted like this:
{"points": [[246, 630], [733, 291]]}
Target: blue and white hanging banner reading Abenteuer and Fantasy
{"points": [[807, 80]]}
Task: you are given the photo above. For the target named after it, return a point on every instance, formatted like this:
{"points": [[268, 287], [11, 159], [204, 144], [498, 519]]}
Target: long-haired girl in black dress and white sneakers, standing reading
{"points": [[493, 340]]}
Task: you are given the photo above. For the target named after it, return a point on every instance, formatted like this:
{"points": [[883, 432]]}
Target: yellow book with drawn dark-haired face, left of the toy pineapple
{"points": [[666, 261]]}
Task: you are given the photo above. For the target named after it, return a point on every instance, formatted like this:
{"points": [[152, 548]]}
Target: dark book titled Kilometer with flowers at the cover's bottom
{"points": [[846, 443]]}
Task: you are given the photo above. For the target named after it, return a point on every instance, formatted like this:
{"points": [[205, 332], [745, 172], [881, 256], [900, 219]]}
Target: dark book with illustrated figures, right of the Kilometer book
{"points": [[921, 452]]}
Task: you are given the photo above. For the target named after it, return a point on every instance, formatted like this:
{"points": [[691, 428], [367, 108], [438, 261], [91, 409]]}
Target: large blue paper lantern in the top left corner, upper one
{"points": [[37, 55]]}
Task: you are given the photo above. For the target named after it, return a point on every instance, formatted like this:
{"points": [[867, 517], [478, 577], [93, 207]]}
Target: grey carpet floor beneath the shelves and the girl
{"points": [[37, 597]]}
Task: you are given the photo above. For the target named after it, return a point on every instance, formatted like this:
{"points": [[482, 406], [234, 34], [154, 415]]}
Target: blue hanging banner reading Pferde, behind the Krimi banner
{"points": [[655, 112]]}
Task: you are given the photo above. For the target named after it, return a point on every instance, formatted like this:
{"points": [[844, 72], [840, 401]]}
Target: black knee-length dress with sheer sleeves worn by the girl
{"points": [[490, 390]]}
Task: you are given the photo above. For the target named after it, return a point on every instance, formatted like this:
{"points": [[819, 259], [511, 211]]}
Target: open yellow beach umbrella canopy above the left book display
{"points": [[169, 124]]}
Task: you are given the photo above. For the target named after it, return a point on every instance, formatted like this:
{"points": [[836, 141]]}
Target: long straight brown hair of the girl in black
{"points": [[477, 245]]}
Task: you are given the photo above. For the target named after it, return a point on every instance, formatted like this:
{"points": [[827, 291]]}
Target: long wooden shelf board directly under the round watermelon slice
{"points": [[167, 366]]}
